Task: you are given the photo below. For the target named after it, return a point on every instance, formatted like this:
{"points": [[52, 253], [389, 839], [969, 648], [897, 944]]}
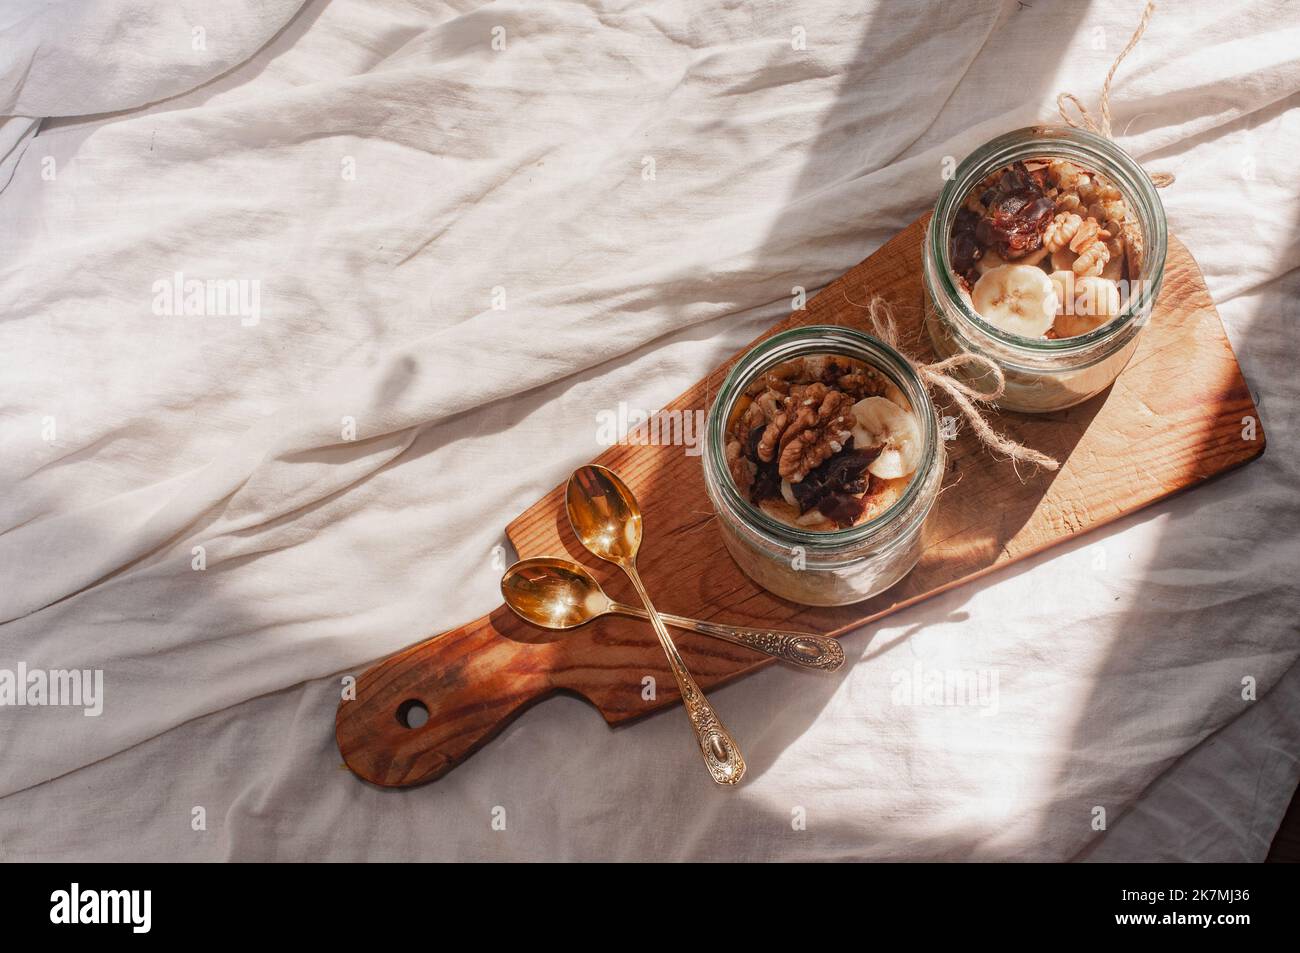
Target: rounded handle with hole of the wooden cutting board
{"points": [[473, 682]]}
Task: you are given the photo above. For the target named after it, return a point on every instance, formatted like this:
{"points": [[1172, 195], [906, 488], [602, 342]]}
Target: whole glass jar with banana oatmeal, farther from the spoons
{"points": [[1046, 254]]}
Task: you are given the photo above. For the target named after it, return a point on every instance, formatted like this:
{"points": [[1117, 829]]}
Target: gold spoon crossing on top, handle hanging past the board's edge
{"points": [[608, 521]]}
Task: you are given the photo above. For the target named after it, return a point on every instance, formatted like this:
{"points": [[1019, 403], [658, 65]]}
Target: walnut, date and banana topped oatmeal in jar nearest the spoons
{"points": [[822, 443]]}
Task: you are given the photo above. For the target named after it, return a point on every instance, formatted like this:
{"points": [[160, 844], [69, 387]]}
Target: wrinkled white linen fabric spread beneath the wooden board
{"points": [[463, 231]]}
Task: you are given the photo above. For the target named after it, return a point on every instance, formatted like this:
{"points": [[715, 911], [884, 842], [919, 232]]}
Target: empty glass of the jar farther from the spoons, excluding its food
{"points": [[1045, 375]]}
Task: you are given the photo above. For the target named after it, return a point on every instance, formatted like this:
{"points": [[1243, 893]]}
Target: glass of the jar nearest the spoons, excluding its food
{"points": [[837, 568]]}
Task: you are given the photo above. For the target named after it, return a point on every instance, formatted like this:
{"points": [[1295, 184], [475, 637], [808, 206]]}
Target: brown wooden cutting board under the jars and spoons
{"points": [[1175, 418]]}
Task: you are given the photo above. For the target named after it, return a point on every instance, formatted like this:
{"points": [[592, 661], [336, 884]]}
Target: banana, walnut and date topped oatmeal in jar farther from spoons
{"points": [[1046, 249]]}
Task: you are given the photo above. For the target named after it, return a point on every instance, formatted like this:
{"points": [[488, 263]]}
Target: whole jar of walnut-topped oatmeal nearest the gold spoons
{"points": [[824, 460]]}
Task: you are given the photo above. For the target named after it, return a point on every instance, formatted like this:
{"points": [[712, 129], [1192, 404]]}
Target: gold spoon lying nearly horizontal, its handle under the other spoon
{"points": [[558, 594]]}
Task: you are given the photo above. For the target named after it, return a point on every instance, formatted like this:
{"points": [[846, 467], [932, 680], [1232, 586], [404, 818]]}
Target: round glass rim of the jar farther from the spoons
{"points": [[1064, 142]]}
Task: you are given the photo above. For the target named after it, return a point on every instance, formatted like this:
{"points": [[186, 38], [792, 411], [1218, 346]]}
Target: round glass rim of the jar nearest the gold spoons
{"points": [[817, 339]]}
